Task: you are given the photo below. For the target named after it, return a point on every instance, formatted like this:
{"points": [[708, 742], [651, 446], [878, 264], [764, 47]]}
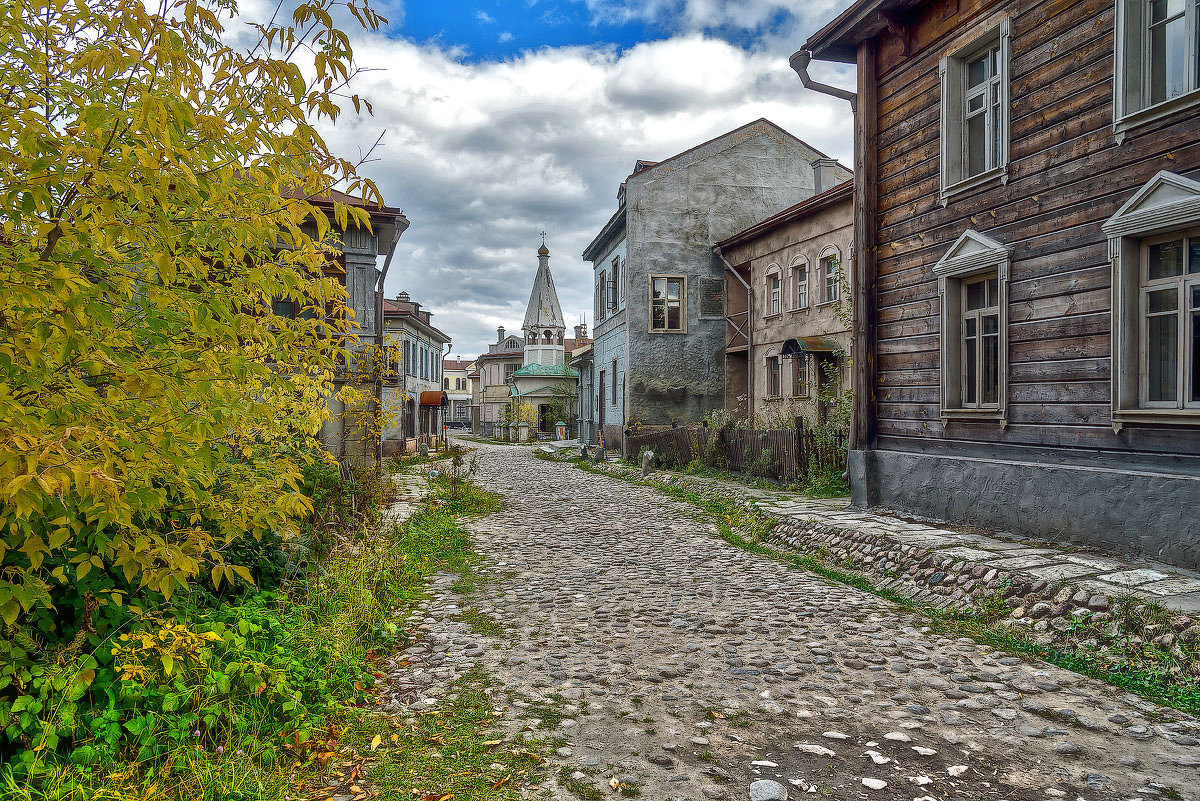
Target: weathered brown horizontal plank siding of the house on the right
{"points": [[1067, 176]]}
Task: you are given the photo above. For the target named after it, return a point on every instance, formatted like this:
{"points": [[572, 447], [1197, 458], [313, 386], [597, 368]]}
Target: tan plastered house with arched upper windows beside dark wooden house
{"points": [[788, 342]]}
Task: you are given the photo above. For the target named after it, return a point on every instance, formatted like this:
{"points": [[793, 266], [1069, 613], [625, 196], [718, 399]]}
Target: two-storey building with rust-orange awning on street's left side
{"points": [[413, 405]]}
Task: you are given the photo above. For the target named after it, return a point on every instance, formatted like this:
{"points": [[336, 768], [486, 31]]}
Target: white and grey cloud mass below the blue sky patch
{"points": [[484, 156]]}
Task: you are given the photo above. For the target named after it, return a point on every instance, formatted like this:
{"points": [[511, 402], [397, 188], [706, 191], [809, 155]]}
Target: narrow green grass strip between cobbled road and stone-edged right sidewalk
{"points": [[749, 529]]}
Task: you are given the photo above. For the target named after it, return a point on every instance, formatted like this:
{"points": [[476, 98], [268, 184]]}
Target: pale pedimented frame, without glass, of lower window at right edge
{"points": [[1167, 207]]}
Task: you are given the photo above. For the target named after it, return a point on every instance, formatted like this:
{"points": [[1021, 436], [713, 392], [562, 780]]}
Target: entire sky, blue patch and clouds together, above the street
{"points": [[506, 118]]}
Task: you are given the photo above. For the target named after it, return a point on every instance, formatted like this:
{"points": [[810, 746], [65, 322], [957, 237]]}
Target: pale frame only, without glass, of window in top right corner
{"points": [[1131, 107]]}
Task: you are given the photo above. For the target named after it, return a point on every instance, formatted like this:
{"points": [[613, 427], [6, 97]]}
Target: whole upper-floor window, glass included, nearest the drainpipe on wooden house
{"points": [[976, 112]]}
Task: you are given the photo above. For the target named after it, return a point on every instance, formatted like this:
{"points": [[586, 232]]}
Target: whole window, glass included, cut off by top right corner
{"points": [[1157, 61]]}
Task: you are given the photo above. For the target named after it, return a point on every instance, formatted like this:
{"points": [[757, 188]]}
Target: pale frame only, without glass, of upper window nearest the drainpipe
{"points": [[952, 76]]}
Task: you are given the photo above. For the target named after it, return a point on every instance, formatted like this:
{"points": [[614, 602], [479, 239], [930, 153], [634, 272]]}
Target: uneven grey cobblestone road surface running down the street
{"points": [[686, 668]]}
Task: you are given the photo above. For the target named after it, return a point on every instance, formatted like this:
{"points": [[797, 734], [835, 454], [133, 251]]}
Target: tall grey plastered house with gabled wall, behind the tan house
{"points": [[659, 351]]}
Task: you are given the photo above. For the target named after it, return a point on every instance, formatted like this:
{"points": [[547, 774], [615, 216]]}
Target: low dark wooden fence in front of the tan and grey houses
{"points": [[783, 454]]}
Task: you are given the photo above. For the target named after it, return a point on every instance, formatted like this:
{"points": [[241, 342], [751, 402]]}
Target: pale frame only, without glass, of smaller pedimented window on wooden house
{"points": [[973, 256]]}
